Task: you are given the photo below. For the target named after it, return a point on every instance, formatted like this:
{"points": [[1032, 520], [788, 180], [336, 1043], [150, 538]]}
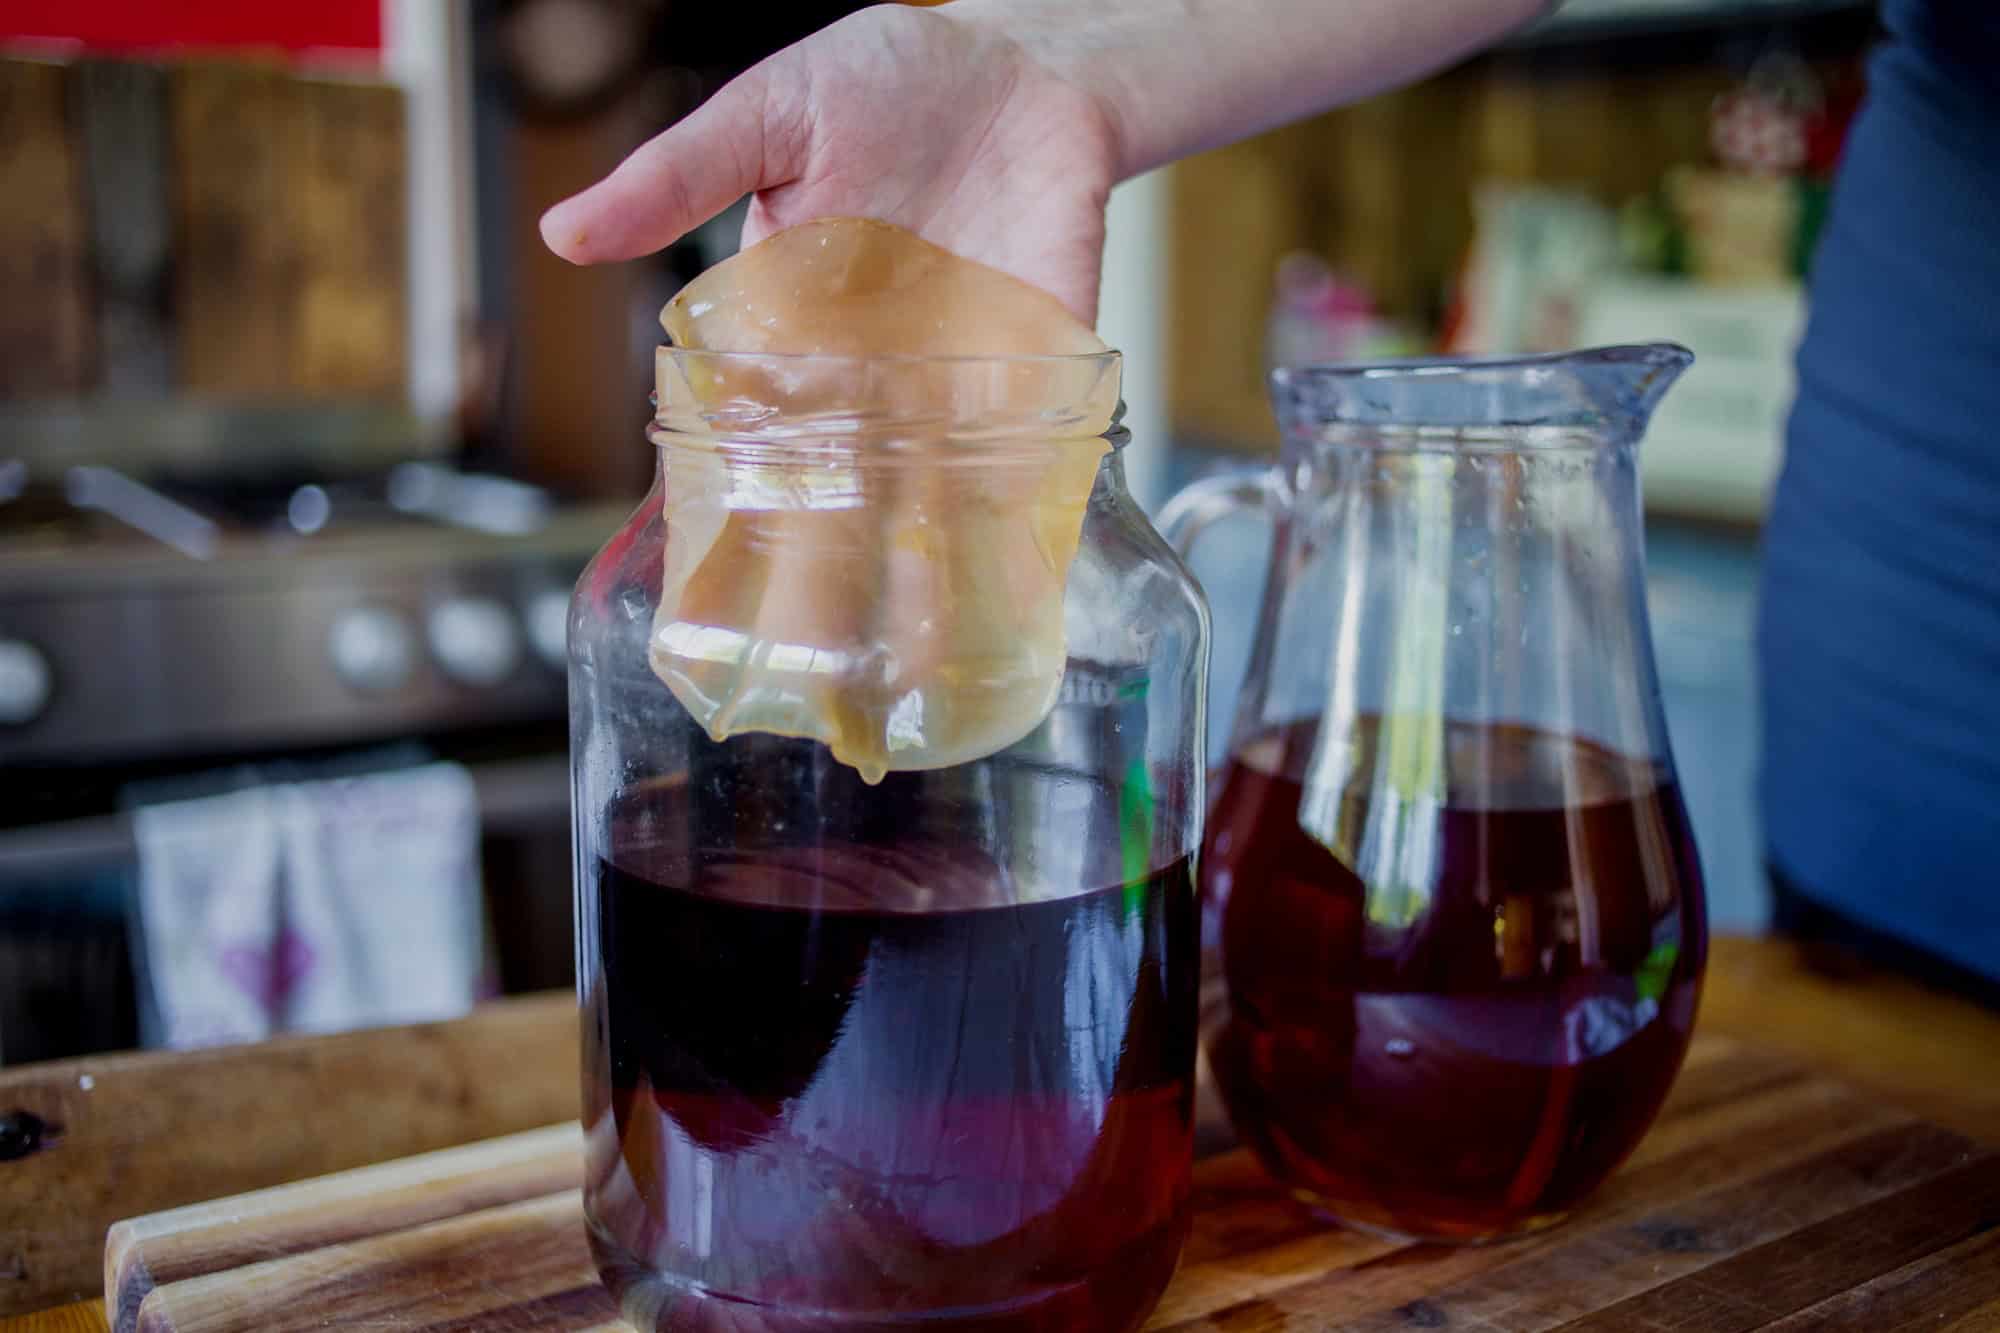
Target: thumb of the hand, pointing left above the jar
{"points": [[731, 145]]}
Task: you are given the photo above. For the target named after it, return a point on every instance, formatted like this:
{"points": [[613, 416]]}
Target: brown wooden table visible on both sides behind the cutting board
{"points": [[151, 1132]]}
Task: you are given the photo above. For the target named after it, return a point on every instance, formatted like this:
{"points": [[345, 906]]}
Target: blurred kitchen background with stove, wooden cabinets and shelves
{"points": [[305, 437]]}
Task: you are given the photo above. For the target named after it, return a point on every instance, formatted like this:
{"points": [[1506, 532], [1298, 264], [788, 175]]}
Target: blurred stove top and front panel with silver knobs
{"points": [[151, 619]]}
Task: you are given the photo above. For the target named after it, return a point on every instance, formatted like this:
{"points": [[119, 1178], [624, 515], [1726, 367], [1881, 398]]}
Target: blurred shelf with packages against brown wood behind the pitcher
{"points": [[1523, 205]]}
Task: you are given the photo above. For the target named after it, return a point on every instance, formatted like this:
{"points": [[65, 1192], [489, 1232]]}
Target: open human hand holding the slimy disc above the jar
{"points": [[937, 121]]}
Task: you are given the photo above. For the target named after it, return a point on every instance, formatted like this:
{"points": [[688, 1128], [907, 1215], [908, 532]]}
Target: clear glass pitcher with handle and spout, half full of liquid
{"points": [[1449, 892]]}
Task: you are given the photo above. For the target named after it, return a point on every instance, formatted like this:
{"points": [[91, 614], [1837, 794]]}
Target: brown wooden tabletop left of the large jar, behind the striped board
{"points": [[139, 1134]]}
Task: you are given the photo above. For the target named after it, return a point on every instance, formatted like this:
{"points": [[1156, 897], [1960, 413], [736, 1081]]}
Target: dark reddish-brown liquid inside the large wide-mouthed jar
{"points": [[865, 1084]]}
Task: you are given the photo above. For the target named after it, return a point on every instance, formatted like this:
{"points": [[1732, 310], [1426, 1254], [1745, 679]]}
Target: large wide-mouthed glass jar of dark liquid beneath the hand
{"points": [[861, 1054]]}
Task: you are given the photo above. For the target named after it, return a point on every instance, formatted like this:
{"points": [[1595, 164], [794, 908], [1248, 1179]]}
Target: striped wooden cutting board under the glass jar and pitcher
{"points": [[1763, 1200]]}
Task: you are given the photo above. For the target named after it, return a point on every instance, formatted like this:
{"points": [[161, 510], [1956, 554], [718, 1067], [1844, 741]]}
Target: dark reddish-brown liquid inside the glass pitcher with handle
{"points": [[1469, 1042]]}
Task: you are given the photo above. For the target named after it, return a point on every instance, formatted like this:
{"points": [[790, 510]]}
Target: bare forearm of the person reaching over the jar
{"points": [[1179, 77]]}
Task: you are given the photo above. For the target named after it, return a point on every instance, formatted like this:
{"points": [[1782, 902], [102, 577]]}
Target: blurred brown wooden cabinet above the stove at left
{"points": [[217, 229]]}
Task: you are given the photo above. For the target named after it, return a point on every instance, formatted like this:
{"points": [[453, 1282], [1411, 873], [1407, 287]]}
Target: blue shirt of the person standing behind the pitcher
{"points": [[1881, 607]]}
